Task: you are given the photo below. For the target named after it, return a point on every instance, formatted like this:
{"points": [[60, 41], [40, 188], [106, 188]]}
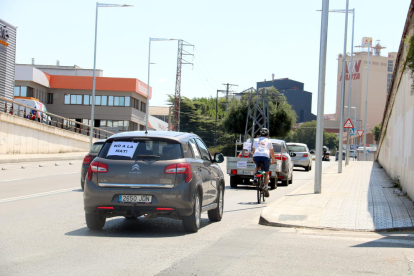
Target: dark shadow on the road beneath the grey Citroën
{"points": [[138, 228]]}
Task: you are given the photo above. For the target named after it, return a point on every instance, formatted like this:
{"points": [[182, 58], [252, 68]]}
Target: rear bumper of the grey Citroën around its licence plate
{"points": [[179, 198]]}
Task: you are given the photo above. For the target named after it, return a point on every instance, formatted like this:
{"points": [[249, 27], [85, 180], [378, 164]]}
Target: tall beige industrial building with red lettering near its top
{"points": [[379, 78]]}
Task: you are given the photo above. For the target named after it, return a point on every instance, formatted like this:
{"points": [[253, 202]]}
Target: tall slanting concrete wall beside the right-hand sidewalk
{"points": [[395, 148]]}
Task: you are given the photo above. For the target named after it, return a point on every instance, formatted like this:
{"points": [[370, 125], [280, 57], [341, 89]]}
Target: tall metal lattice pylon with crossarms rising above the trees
{"points": [[177, 98]]}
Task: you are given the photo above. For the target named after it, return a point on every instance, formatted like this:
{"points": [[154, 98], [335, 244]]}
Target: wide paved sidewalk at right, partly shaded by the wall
{"points": [[361, 198]]}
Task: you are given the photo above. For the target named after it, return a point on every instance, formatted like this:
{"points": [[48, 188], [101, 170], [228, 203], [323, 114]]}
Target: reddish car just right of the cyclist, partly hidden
{"points": [[282, 153]]}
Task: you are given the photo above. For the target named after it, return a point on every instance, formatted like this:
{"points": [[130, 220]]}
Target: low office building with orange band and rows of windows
{"points": [[120, 103]]}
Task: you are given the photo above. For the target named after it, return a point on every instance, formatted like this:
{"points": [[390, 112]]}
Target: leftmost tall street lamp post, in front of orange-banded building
{"points": [[98, 5]]}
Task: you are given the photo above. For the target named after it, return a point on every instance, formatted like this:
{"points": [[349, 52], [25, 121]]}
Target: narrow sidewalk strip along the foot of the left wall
{"points": [[17, 158]]}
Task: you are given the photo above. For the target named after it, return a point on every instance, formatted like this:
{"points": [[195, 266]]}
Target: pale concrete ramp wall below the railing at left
{"points": [[22, 136]]}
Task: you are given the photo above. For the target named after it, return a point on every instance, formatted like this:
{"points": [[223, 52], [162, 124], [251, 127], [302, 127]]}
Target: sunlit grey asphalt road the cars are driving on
{"points": [[43, 232]]}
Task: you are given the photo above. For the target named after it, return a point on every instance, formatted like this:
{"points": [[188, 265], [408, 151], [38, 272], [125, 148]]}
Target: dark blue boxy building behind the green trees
{"points": [[296, 96]]}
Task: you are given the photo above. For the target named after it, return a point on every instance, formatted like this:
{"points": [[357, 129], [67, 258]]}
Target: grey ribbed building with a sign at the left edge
{"points": [[7, 59]]}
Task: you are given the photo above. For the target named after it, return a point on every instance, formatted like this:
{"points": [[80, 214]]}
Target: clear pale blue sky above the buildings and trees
{"points": [[240, 42]]}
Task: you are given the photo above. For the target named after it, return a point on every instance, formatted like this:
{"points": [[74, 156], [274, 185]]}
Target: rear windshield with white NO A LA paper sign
{"points": [[135, 149]]}
